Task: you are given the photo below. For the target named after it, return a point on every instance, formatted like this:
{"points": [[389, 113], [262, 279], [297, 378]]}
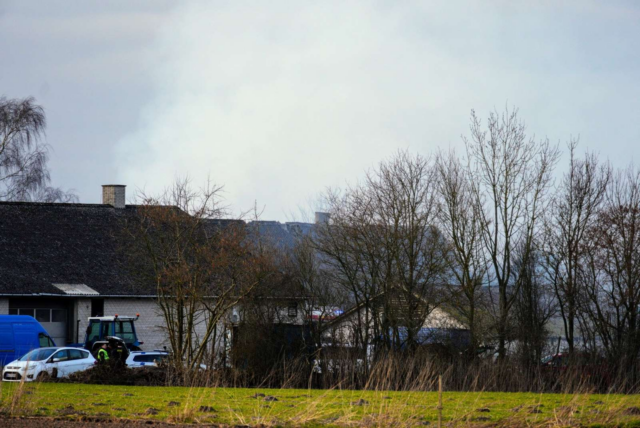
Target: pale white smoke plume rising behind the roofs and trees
{"points": [[278, 100]]}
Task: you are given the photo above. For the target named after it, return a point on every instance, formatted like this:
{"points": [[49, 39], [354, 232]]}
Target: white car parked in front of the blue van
{"points": [[48, 362]]}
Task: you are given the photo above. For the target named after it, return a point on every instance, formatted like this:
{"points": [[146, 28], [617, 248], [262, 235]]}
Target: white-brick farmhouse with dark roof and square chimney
{"points": [[63, 262]]}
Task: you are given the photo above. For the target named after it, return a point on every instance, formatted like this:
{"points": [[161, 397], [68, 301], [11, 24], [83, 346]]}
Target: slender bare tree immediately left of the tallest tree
{"points": [[460, 220]]}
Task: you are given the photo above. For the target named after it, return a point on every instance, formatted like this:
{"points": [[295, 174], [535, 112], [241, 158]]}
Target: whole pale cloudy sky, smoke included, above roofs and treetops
{"points": [[278, 101]]}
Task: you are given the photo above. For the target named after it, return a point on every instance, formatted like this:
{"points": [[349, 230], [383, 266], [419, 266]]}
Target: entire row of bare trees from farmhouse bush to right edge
{"points": [[500, 238]]}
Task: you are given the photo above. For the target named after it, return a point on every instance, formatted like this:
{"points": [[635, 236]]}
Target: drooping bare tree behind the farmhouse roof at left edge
{"points": [[24, 175]]}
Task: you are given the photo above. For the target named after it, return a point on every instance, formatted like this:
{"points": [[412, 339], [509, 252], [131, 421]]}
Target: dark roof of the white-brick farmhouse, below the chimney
{"points": [[42, 244]]}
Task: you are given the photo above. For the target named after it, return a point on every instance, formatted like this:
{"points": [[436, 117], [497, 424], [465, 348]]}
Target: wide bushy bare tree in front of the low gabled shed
{"points": [[384, 244]]}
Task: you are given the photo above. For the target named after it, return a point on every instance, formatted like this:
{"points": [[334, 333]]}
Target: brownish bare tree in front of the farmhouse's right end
{"points": [[202, 265]]}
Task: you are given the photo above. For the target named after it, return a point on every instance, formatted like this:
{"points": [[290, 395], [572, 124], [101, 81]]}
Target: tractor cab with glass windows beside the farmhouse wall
{"points": [[123, 327]]}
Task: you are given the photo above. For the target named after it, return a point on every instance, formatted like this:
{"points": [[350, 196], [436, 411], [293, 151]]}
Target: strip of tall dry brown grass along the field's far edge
{"points": [[420, 373]]}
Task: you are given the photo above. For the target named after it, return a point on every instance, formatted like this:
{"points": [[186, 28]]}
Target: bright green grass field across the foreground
{"points": [[290, 407]]}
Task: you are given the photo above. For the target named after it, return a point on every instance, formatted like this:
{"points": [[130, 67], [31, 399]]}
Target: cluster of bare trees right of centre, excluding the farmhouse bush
{"points": [[497, 237]]}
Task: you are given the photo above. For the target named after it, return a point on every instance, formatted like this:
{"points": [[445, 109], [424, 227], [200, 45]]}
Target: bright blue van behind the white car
{"points": [[20, 334]]}
